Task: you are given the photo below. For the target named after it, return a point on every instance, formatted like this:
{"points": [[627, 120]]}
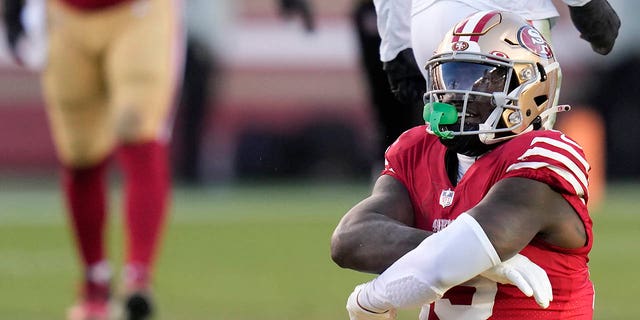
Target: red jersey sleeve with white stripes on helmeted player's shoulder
{"points": [[554, 159]]}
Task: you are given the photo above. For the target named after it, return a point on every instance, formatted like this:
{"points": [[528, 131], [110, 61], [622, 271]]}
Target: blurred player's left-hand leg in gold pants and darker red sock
{"points": [[81, 127]]}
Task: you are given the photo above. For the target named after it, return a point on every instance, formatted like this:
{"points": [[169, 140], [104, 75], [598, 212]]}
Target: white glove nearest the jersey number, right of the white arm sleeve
{"points": [[524, 274]]}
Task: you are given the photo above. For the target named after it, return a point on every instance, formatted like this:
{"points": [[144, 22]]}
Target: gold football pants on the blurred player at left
{"points": [[111, 76]]}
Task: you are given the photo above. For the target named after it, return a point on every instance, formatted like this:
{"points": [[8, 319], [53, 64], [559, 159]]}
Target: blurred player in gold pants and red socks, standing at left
{"points": [[109, 83]]}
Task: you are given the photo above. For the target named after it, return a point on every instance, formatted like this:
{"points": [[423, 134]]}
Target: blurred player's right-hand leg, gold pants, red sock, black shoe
{"points": [[145, 66]]}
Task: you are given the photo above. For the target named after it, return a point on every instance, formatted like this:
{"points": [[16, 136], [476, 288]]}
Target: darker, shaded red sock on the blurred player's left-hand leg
{"points": [[85, 192]]}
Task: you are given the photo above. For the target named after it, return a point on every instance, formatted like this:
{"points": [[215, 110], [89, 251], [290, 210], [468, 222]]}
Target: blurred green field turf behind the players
{"points": [[253, 252]]}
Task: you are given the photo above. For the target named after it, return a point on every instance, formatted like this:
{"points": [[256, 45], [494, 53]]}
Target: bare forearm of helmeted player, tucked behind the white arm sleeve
{"points": [[373, 245]]}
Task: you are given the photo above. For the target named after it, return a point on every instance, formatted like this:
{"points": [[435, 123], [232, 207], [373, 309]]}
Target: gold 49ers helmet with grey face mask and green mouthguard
{"points": [[494, 76]]}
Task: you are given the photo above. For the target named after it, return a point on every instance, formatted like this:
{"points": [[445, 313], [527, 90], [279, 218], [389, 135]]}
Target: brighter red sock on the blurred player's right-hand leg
{"points": [[147, 183]]}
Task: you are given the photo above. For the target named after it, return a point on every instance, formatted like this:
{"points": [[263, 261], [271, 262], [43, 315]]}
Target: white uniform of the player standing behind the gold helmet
{"points": [[396, 19]]}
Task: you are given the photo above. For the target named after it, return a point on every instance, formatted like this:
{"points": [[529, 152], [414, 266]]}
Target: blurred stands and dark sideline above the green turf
{"points": [[265, 97]]}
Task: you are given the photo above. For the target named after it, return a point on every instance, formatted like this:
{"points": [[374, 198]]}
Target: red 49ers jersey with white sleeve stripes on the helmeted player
{"points": [[417, 159]]}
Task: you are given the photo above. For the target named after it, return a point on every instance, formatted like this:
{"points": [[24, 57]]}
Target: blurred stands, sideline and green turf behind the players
{"points": [[275, 139]]}
